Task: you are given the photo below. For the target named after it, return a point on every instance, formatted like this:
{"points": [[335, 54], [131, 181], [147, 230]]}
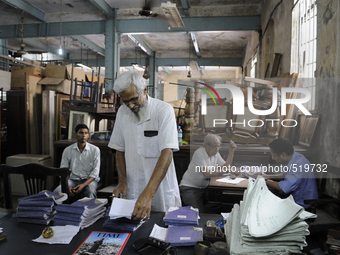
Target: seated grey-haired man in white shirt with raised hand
{"points": [[203, 166]]}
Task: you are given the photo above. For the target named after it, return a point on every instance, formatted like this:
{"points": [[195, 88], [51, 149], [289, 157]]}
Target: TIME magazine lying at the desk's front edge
{"points": [[99, 242]]}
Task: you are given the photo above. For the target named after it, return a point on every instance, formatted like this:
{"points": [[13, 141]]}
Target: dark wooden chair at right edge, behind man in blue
{"points": [[324, 221]]}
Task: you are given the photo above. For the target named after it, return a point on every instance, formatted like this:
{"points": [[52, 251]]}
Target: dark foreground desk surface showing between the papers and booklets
{"points": [[20, 235]]}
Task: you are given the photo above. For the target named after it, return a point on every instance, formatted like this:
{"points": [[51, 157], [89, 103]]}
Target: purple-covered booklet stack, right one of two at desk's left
{"points": [[82, 213]]}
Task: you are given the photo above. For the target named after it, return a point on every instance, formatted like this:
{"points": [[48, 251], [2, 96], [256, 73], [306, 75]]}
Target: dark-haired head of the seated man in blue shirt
{"points": [[281, 150]]}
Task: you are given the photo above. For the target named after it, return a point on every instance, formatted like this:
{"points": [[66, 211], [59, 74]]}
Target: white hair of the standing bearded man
{"points": [[124, 81]]}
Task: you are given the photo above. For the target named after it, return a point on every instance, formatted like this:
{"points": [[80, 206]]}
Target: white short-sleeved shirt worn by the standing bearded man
{"points": [[142, 141]]}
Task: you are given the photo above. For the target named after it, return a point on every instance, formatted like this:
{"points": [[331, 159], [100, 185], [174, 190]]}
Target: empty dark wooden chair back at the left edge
{"points": [[35, 176]]}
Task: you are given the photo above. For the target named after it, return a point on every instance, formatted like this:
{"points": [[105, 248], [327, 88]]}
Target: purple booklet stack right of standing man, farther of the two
{"points": [[181, 216]]}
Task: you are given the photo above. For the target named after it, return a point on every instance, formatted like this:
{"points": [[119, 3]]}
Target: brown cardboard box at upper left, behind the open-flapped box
{"points": [[18, 75]]}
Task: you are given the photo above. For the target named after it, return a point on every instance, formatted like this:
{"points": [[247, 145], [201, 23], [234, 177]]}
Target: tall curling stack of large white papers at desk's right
{"points": [[265, 223]]}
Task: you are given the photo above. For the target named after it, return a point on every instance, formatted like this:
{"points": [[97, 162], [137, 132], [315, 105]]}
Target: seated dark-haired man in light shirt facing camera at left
{"points": [[83, 159]]}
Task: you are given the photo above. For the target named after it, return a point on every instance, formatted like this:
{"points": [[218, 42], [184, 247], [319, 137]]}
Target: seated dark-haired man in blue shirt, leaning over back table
{"points": [[298, 178]]}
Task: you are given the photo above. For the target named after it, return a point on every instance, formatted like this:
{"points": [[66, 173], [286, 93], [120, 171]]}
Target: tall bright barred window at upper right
{"points": [[304, 38]]}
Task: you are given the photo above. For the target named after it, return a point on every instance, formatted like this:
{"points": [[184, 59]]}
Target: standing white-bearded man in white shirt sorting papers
{"points": [[144, 137]]}
